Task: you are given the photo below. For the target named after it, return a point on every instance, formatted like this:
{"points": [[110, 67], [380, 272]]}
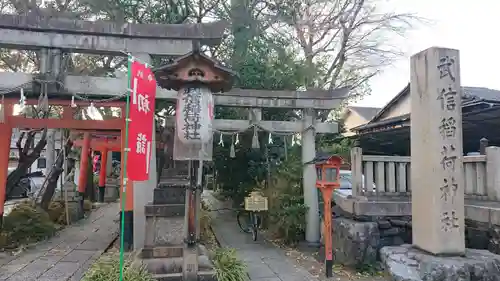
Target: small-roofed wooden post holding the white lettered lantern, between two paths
{"points": [[195, 77]]}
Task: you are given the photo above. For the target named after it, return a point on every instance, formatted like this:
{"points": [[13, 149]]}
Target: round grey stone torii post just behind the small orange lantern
{"points": [[309, 178]]}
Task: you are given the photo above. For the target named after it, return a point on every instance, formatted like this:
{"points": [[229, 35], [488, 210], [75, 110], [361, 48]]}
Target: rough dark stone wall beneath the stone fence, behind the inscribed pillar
{"points": [[358, 240]]}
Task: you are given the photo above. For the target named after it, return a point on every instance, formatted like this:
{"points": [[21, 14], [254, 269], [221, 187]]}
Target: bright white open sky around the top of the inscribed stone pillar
{"points": [[469, 26]]}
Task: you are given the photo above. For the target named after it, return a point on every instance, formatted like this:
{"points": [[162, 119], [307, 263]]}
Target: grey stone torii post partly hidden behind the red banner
{"points": [[143, 191]]}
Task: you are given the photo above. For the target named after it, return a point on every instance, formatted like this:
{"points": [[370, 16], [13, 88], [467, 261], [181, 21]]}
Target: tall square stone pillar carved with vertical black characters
{"points": [[437, 154]]}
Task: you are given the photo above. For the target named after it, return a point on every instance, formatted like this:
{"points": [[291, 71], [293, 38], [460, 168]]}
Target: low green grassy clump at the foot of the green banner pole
{"points": [[109, 270]]}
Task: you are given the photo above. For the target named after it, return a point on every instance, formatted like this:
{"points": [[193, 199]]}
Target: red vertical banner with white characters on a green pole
{"points": [[141, 115]]}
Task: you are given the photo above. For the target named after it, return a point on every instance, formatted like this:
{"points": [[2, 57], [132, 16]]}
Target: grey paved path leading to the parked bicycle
{"points": [[265, 262]]}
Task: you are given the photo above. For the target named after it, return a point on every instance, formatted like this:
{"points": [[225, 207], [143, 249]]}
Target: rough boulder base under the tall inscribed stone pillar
{"points": [[405, 263]]}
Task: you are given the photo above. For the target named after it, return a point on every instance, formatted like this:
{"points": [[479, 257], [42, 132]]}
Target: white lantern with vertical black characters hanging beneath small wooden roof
{"points": [[194, 115]]}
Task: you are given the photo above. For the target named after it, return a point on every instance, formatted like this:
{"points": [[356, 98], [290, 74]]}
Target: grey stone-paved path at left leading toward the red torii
{"points": [[69, 254]]}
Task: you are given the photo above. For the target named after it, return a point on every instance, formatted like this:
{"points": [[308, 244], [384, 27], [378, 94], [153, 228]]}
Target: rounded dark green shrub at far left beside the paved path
{"points": [[26, 224]]}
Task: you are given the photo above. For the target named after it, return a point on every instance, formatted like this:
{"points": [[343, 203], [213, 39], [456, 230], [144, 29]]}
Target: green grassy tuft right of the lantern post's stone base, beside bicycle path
{"points": [[228, 267]]}
